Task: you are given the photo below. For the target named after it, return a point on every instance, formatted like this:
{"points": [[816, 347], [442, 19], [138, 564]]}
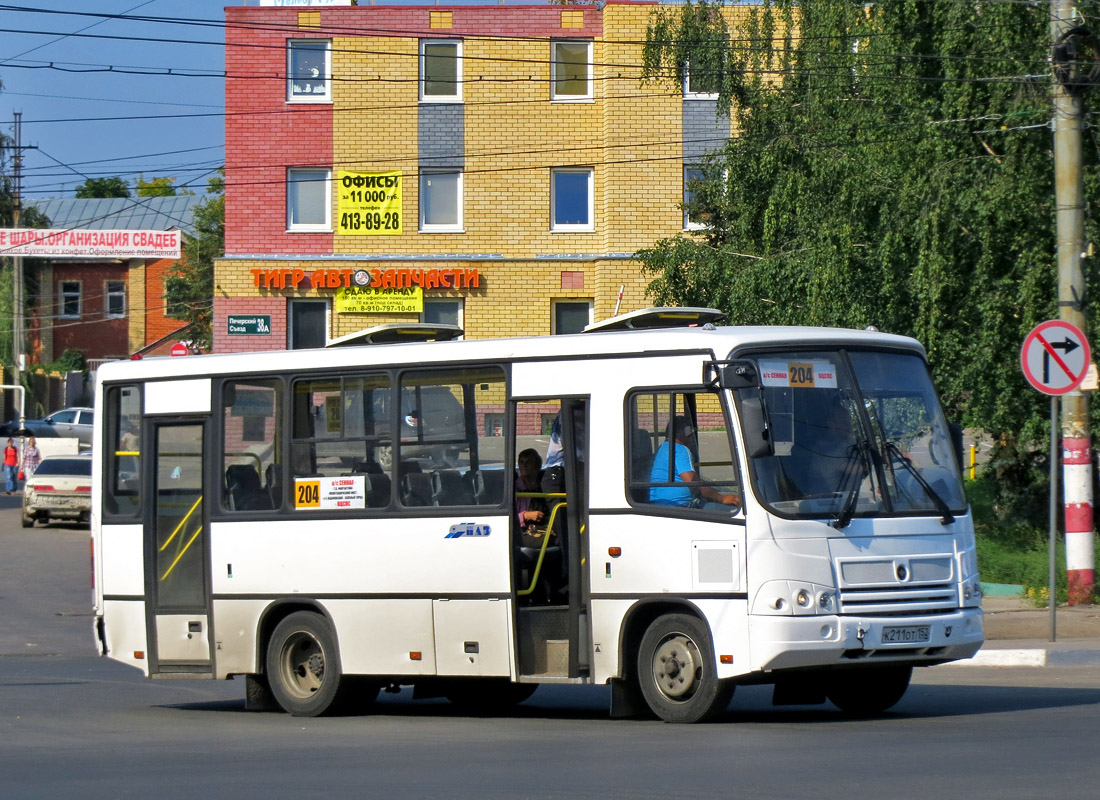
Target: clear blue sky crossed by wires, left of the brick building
{"points": [[92, 107]]}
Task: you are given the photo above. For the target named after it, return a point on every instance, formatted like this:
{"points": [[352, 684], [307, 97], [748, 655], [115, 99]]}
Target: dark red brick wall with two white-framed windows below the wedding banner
{"points": [[94, 335]]}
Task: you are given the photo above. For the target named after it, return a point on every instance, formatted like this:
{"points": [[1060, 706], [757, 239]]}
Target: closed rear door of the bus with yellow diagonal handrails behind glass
{"points": [[178, 575]]}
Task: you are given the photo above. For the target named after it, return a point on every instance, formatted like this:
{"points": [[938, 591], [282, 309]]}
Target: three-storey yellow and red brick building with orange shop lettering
{"points": [[493, 167]]}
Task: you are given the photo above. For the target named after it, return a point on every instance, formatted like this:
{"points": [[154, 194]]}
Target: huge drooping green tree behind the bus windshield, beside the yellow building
{"points": [[893, 168]]}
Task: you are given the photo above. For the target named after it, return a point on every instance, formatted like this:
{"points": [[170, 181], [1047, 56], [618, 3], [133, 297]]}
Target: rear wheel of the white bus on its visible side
{"points": [[304, 666]]}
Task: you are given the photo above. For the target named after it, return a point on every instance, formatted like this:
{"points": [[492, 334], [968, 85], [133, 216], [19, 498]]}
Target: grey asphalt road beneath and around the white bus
{"points": [[76, 726]]}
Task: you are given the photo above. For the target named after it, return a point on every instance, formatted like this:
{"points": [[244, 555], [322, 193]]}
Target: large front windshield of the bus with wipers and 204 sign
{"points": [[854, 434]]}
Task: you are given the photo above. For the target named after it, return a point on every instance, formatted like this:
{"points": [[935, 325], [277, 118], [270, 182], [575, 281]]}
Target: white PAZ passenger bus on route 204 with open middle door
{"points": [[732, 506]]}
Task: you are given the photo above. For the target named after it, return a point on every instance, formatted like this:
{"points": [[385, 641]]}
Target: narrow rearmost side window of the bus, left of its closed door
{"points": [[123, 477]]}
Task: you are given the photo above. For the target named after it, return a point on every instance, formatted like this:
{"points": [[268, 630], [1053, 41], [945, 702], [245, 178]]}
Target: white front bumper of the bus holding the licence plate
{"points": [[808, 642]]}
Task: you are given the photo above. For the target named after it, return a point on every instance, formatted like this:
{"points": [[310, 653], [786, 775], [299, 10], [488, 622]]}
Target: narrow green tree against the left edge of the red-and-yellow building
{"points": [[190, 291]]}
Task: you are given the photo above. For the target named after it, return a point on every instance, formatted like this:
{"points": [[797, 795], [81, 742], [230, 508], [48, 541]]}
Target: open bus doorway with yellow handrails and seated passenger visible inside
{"points": [[551, 562]]}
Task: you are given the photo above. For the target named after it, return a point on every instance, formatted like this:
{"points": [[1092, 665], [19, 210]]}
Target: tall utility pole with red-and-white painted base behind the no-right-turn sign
{"points": [[1070, 202]]}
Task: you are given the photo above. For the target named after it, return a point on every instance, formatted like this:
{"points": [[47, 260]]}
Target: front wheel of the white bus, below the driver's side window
{"points": [[678, 673]]}
